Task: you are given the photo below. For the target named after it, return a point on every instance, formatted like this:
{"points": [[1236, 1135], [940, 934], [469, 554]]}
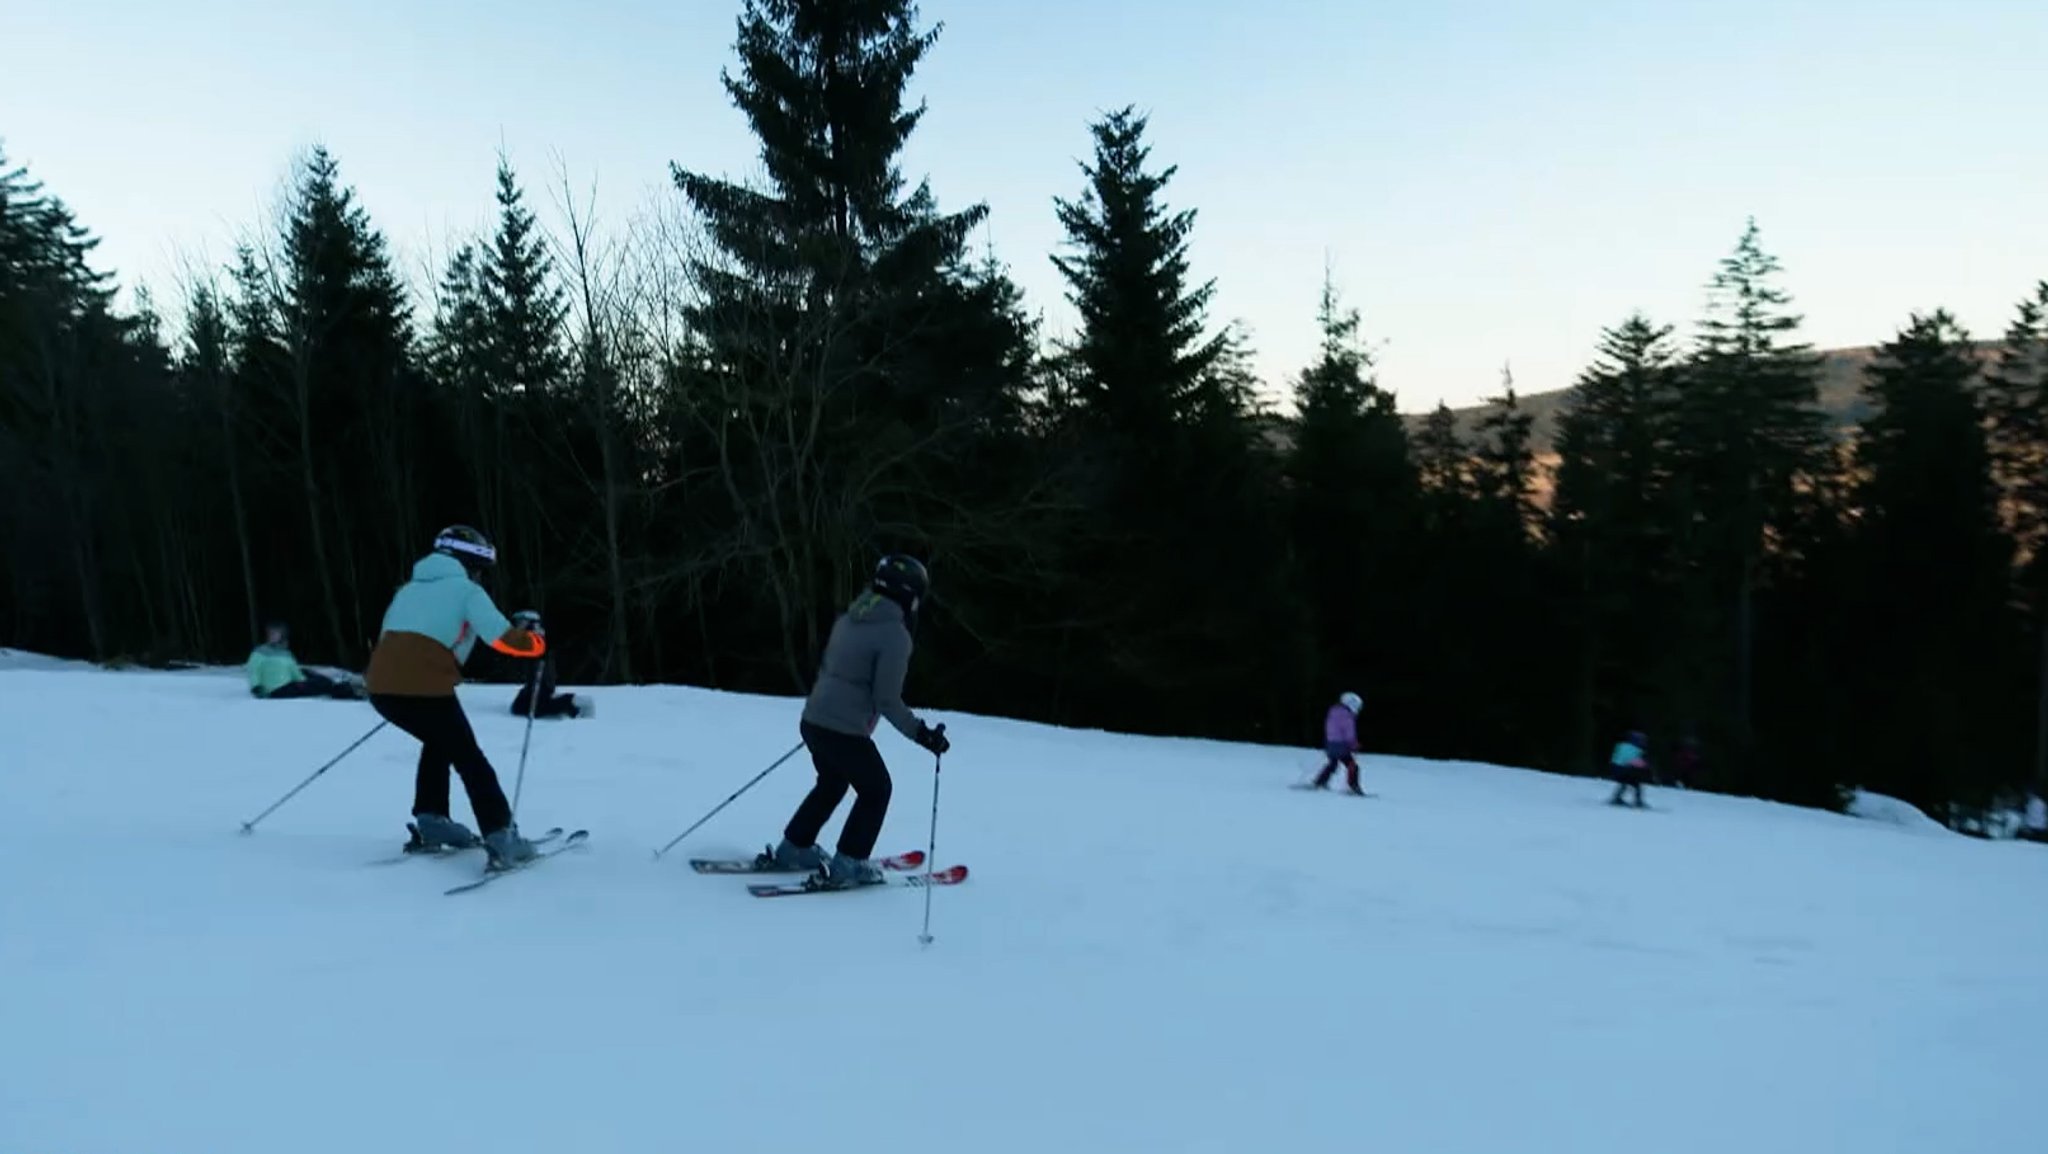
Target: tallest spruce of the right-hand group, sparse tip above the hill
{"points": [[1754, 431]]}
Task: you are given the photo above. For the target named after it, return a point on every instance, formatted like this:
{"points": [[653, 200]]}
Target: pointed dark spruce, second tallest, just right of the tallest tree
{"points": [[1175, 483]]}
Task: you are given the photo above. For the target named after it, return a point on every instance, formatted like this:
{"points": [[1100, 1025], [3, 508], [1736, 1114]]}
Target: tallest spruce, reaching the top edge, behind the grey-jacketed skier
{"points": [[822, 304]]}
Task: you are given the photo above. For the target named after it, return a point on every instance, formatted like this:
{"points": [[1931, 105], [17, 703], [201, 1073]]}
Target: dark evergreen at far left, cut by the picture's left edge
{"points": [[93, 520]]}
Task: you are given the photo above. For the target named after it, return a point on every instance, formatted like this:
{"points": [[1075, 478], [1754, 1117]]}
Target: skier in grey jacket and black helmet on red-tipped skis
{"points": [[859, 684]]}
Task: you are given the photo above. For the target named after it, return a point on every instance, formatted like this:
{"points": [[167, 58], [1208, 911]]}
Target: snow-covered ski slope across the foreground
{"points": [[1162, 948]]}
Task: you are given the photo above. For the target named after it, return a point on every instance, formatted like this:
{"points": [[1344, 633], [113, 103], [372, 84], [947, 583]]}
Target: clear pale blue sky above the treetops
{"points": [[1492, 181]]}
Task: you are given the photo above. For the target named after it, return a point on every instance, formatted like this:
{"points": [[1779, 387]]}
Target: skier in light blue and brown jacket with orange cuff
{"points": [[429, 632]]}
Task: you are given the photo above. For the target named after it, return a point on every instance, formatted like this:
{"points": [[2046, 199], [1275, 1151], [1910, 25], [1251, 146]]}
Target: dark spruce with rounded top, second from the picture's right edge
{"points": [[1934, 573]]}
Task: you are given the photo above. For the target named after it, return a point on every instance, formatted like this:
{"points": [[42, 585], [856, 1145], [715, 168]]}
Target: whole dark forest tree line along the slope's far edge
{"points": [[693, 434]]}
